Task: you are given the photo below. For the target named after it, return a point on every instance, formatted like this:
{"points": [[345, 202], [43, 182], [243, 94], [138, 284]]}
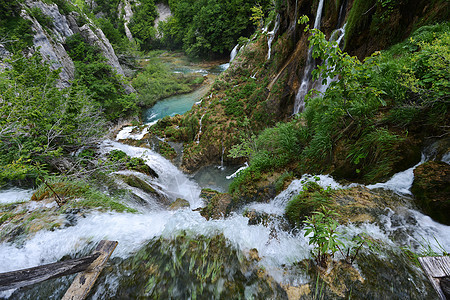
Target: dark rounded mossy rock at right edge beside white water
{"points": [[431, 187]]}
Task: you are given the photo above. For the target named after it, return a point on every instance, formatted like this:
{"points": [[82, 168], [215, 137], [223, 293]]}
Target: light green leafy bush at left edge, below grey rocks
{"points": [[40, 122]]}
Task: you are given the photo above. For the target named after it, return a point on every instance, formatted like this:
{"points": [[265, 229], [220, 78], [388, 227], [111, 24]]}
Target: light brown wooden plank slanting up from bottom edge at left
{"points": [[83, 282]]}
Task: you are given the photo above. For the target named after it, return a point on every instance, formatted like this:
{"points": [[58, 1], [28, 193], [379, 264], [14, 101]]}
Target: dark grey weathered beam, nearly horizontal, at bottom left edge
{"points": [[21, 278]]}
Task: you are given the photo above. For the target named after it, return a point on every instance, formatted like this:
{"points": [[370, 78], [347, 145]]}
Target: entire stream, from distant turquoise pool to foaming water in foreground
{"points": [[179, 254]]}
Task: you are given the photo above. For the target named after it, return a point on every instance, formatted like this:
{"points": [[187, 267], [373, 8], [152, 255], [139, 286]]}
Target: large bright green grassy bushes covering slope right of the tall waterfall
{"points": [[362, 122]]}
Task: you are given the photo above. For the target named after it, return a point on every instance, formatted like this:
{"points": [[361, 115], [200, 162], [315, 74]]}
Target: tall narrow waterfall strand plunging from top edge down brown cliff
{"points": [[304, 86]]}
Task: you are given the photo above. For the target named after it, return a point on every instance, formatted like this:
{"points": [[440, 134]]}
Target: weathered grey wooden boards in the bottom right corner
{"points": [[436, 268]]}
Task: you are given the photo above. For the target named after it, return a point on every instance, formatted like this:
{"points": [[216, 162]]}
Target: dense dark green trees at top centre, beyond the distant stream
{"points": [[208, 27]]}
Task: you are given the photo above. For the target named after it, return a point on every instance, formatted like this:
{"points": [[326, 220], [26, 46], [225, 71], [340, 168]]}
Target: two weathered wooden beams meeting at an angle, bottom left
{"points": [[90, 266]]}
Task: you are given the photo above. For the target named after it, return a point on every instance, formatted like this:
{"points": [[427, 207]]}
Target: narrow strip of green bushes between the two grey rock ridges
{"points": [[100, 80]]}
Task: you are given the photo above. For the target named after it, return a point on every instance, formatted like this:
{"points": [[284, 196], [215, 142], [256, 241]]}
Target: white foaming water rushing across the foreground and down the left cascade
{"points": [[278, 249]]}
